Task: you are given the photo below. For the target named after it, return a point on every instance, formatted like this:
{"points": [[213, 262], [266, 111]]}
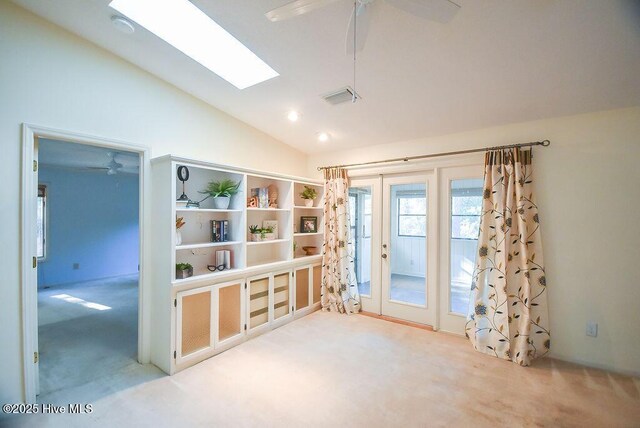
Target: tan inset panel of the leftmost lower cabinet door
{"points": [[196, 322]]}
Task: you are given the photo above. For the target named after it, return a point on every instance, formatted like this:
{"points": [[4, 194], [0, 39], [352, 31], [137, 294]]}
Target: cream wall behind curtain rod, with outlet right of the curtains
{"points": [[588, 189]]}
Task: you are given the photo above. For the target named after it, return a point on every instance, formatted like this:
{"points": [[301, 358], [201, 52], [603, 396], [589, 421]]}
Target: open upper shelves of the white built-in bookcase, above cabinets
{"points": [[196, 247]]}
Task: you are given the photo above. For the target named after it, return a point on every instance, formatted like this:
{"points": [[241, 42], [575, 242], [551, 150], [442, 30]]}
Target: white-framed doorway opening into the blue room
{"points": [[84, 299]]}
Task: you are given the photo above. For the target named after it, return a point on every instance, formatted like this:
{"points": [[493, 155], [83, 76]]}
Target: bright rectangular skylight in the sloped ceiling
{"points": [[191, 31]]}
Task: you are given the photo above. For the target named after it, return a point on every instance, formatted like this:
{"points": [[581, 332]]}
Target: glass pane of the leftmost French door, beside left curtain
{"points": [[361, 213]]}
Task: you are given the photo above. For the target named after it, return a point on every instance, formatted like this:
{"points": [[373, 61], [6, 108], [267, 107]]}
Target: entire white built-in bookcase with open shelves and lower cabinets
{"points": [[200, 316]]}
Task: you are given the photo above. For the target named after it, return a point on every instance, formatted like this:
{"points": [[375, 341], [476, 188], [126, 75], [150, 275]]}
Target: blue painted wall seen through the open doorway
{"points": [[93, 221]]}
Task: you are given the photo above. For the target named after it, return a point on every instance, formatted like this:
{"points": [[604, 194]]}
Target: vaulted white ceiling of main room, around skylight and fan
{"points": [[497, 62]]}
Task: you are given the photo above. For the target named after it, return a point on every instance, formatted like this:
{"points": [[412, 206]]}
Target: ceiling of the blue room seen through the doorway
{"points": [[84, 157]]}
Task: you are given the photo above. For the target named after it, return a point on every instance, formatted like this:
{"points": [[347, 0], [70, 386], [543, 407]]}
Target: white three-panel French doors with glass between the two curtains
{"points": [[414, 240]]}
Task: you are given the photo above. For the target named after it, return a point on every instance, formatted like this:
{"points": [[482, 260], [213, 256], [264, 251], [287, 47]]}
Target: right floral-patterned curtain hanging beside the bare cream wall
{"points": [[508, 314]]}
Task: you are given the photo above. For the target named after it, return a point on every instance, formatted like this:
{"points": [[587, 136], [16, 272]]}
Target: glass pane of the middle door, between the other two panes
{"points": [[407, 253]]}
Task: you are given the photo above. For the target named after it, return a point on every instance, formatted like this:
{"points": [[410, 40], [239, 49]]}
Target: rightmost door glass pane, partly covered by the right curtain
{"points": [[466, 207]]}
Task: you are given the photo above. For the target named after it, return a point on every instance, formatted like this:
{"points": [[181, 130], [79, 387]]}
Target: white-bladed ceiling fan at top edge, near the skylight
{"points": [[441, 11]]}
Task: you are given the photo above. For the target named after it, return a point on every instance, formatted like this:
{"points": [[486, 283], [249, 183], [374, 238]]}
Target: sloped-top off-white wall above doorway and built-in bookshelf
{"points": [[49, 77]]}
